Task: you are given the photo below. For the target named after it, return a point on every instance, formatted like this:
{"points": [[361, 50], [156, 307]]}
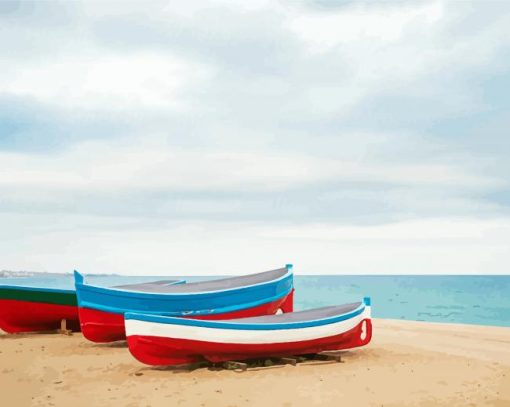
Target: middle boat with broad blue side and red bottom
{"points": [[102, 310]]}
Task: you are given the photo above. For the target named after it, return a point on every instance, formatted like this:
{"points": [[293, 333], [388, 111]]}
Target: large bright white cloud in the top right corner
{"points": [[384, 48]]}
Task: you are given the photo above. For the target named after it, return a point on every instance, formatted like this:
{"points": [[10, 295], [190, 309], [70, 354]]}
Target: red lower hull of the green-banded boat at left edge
{"points": [[25, 316]]}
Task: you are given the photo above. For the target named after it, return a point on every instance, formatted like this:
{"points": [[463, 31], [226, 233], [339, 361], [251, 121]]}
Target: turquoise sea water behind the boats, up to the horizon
{"points": [[483, 300]]}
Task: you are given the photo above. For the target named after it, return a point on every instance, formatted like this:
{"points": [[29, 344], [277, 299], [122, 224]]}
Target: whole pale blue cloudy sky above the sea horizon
{"points": [[227, 137]]}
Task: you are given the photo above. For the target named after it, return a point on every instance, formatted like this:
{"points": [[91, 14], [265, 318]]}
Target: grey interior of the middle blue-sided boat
{"points": [[210, 285]]}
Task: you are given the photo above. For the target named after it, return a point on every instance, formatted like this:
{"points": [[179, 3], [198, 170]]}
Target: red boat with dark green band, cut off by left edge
{"points": [[31, 309]]}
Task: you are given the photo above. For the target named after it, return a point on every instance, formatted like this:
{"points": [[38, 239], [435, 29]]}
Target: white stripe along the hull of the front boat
{"points": [[220, 335]]}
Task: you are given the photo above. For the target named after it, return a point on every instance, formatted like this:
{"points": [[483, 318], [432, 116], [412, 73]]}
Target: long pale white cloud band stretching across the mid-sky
{"points": [[115, 166]]}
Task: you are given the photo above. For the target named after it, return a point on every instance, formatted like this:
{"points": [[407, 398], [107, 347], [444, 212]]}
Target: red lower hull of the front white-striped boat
{"points": [[154, 350]]}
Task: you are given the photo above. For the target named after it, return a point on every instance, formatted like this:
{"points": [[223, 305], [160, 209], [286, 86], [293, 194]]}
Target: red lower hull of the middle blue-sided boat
{"points": [[101, 327]]}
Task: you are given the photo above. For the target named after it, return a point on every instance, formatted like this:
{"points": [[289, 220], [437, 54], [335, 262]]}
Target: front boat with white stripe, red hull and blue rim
{"points": [[159, 340]]}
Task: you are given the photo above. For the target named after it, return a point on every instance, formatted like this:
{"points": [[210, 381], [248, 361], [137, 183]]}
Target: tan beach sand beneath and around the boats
{"points": [[407, 364]]}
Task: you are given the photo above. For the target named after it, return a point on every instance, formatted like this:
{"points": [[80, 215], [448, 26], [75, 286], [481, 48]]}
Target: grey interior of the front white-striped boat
{"points": [[298, 316]]}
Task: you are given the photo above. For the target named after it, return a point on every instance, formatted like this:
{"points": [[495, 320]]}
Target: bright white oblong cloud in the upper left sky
{"points": [[109, 82]]}
